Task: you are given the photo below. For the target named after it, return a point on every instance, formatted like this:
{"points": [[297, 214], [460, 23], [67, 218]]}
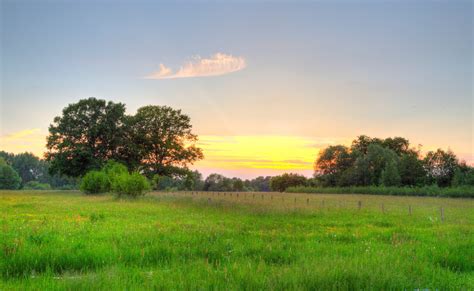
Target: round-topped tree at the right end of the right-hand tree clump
{"points": [[441, 166]]}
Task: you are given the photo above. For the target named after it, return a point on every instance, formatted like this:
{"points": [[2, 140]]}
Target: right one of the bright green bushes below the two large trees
{"points": [[132, 185]]}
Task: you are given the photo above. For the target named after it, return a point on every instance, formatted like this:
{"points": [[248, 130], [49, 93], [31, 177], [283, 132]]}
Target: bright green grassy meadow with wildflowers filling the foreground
{"points": [[66, 240]]}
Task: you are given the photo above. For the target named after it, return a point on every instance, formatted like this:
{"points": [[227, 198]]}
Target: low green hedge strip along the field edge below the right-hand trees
{"points": [[464, 191]]}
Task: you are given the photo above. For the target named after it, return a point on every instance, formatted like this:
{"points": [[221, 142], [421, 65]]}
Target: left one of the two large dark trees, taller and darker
{"points": [[89, 133]]}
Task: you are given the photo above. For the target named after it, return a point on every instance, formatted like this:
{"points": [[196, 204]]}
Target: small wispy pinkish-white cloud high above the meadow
{"points": [[218, 64]]}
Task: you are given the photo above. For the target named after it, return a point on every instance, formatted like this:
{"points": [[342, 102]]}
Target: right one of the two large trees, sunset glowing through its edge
{"points": [[163, 141]]}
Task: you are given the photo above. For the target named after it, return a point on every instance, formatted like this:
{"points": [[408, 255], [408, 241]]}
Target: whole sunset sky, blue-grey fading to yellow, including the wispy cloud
{"points": [[267, 84]]}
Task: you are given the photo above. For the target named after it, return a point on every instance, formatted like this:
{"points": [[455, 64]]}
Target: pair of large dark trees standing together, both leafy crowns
{"points": [[156, 140]]}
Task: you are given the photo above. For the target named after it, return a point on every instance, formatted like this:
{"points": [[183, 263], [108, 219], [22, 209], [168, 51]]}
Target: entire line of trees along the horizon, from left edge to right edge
{"points": [[158, 143]]}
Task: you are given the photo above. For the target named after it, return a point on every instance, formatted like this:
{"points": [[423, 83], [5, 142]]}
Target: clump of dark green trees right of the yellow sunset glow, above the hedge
{"points": [[373, 161]]}
